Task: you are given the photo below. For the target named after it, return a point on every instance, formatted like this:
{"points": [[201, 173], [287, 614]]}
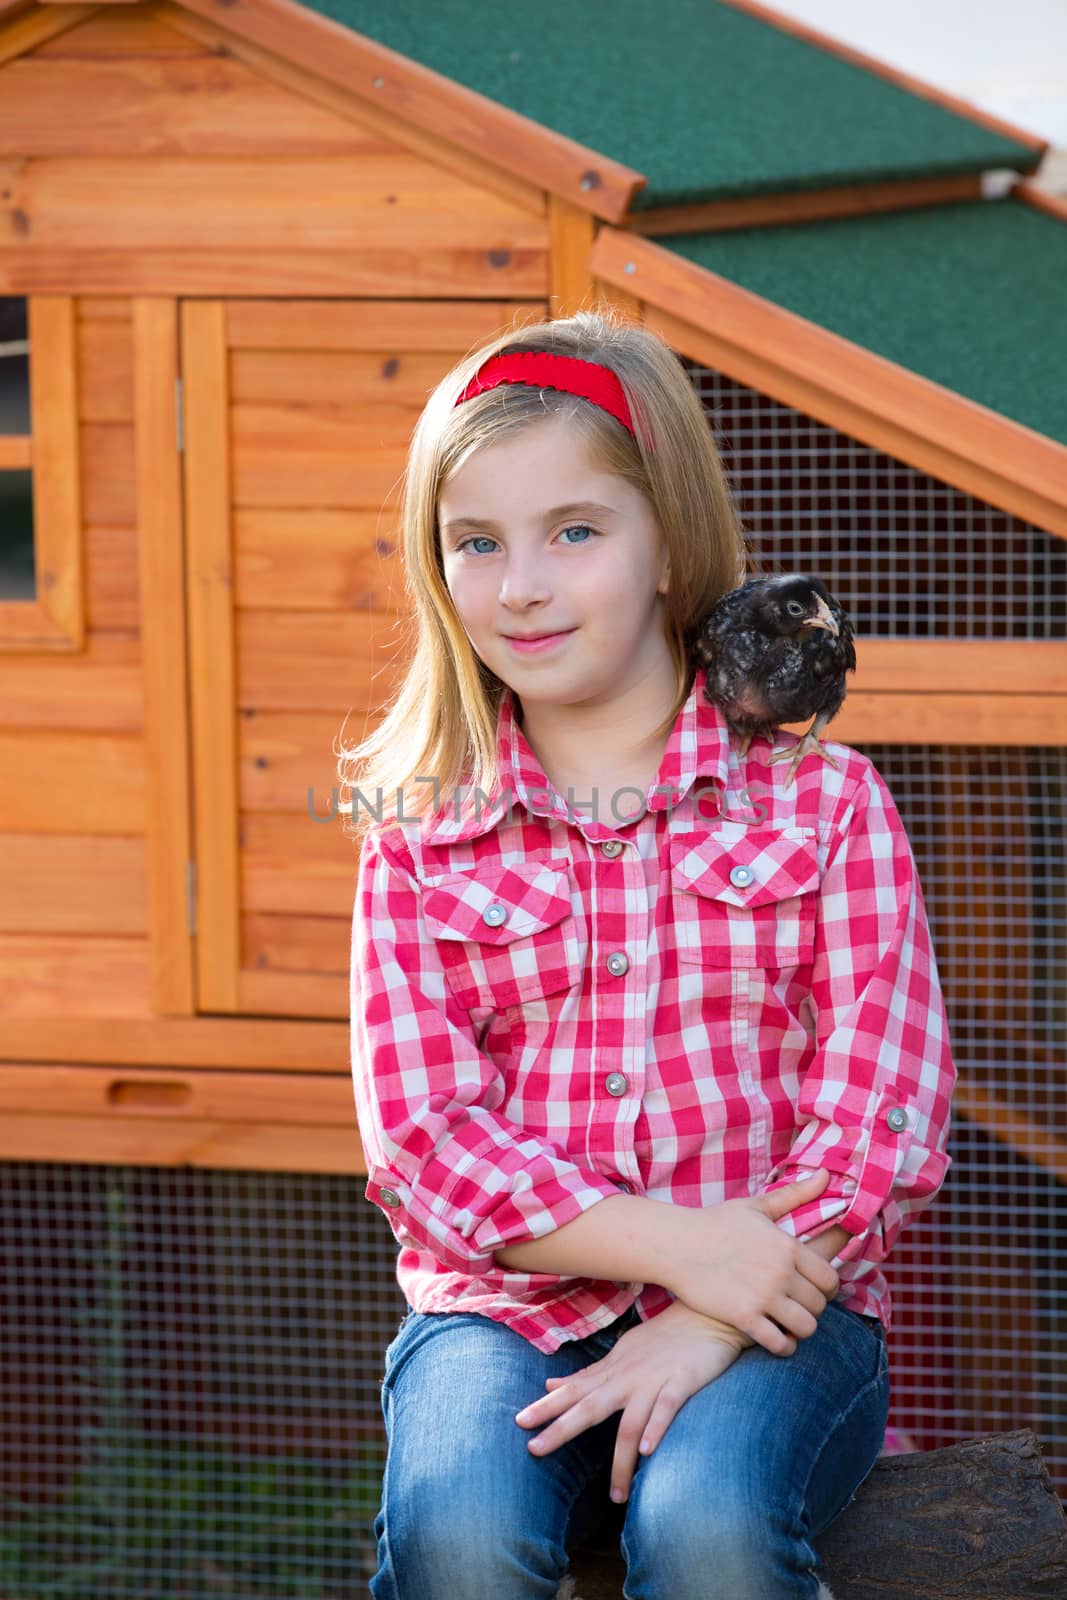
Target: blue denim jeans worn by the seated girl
{"points": [[751, 1470]]}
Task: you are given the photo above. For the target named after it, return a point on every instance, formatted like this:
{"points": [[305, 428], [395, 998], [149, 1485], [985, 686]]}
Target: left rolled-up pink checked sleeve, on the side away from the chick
{"points": [[450, 1174]]}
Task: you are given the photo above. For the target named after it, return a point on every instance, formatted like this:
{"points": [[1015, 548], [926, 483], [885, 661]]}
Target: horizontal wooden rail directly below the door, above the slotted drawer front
{"points": [[266, 1046]]}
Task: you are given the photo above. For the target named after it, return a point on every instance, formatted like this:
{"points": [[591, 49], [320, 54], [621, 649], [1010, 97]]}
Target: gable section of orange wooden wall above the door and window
{"points": [[146, 151]]}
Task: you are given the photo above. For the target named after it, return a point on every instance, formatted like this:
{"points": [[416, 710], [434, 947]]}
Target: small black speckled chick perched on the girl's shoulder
{"points": [[777, 650]]}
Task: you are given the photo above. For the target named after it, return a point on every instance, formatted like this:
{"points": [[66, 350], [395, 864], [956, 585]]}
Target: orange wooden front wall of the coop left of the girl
{"points": [[180, 204]]}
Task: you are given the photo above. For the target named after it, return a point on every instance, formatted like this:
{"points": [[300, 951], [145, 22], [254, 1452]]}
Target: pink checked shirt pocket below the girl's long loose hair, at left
{"points": [[506, 935]]}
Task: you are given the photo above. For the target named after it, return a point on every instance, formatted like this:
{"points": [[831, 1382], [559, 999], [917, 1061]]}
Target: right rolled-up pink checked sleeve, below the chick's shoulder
{"points": [[874, 1102]]}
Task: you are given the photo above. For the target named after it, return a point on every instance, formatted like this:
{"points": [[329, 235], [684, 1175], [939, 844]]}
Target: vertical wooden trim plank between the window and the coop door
{"points": [[162, 586]]}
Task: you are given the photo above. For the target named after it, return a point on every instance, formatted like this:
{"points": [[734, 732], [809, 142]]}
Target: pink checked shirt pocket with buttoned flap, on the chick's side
{"points": [[748, 898]]}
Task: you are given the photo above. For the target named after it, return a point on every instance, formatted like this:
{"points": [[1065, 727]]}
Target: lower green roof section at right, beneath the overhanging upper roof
{"points": [[970, 295]]}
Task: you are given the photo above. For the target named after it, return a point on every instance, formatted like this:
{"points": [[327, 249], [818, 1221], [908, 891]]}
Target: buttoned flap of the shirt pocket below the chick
{"points": [[778, 865]]}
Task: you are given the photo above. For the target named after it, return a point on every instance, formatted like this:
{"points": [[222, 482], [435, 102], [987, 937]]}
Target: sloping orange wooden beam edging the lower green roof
{"points": [[713, 321]]}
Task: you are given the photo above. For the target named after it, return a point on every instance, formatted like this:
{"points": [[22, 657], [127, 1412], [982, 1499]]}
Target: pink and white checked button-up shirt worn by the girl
{"points": [[551, 1006]]}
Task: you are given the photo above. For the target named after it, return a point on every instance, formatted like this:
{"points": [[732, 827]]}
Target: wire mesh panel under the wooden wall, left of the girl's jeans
{"points": [[191, 1383]]}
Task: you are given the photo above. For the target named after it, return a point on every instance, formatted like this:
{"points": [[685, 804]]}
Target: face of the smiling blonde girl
{"points": [[537, 540]]}
